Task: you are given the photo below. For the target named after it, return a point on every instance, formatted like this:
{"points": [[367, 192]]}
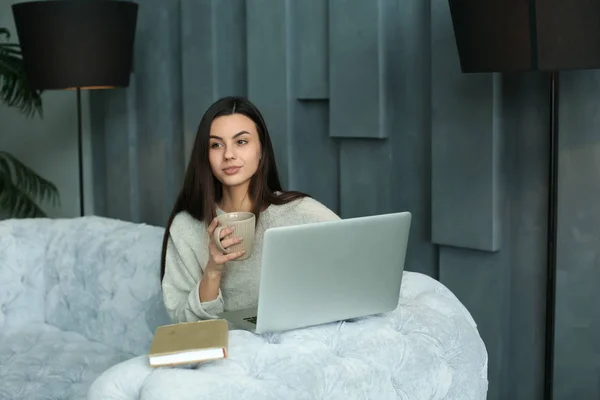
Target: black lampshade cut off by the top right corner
{"points": [[526, 35]]}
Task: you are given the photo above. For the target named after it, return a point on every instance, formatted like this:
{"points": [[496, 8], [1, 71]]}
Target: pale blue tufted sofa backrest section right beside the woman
{"points": [[102, 280]]}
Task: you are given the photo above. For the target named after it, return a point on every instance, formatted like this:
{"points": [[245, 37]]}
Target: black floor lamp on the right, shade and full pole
{"points": [[528, 35]]}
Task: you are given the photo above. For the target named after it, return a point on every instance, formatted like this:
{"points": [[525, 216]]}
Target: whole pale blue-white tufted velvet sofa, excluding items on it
{"points": [[80, 299]]}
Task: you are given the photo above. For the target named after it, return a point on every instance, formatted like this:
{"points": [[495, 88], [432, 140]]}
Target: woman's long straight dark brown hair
{"points": [[201, 191]]}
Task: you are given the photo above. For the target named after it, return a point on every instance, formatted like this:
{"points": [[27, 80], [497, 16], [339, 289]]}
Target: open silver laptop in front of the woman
{"points": [[330, 271]]}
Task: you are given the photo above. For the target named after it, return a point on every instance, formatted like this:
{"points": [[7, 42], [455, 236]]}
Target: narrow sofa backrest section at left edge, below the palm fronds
{"points": [[22, 260]]}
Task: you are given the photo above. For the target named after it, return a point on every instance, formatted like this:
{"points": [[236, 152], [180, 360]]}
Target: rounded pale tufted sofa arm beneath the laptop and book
{"points": [[428, 348]]}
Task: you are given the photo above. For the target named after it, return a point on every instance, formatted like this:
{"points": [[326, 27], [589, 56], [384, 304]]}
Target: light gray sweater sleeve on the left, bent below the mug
{"points": [[183, 274]]}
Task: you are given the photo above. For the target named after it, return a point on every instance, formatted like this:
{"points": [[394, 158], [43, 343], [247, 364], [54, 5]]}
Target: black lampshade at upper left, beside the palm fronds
{"points": [[76, 43]]}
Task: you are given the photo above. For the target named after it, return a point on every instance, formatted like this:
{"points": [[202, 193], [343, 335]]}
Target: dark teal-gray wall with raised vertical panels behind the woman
{"points": [[370, 113]]}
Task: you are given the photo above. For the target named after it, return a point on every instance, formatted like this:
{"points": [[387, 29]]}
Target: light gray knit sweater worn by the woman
{"points": [[187, 255]]}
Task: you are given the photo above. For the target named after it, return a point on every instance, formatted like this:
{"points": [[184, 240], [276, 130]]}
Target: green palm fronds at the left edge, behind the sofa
{"points": [[21, 188]]}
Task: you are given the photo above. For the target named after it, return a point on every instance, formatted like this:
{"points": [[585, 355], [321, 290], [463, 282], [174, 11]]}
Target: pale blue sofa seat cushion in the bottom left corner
{"points": [[39, 361]]}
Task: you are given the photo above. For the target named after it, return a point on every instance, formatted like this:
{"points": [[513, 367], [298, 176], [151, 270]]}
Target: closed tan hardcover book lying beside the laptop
{"points": [[189, 343]]}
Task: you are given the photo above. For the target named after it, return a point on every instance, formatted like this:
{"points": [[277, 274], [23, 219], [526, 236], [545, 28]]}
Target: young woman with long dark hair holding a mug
{"points": [[232, 168]]}
